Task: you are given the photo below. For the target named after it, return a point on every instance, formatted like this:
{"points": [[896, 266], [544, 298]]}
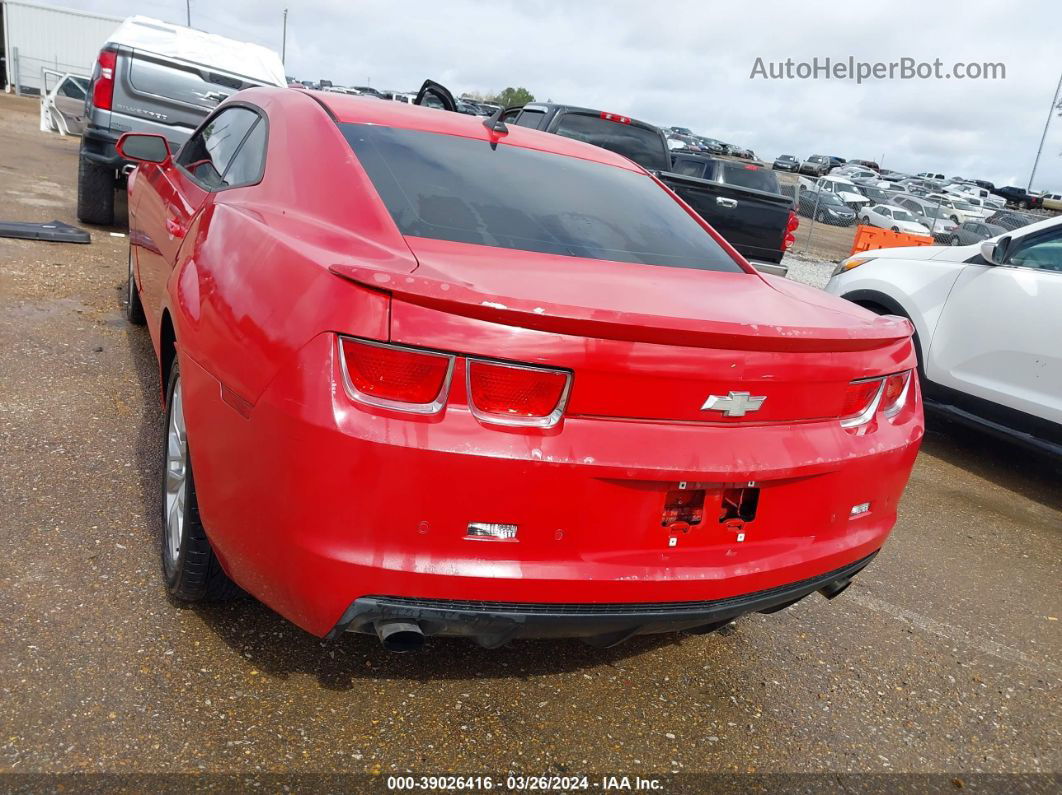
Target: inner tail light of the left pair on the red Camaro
{"points": [[517, 395]]}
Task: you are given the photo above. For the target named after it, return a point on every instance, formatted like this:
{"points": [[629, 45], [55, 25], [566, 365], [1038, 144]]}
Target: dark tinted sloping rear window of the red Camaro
{"points": [[466, 191]]}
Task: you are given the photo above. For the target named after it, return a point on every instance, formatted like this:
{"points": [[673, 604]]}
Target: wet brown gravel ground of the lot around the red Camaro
{"points": [[945, 656]]}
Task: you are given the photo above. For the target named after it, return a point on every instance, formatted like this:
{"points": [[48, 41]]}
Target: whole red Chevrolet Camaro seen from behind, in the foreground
{"points": [[427, 377]]}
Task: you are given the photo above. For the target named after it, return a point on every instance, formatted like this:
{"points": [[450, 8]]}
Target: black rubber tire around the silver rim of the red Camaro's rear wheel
{"points": [[194, 574]]}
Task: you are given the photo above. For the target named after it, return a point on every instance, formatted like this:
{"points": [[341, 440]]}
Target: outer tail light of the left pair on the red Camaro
{"points": [[396, 377]]}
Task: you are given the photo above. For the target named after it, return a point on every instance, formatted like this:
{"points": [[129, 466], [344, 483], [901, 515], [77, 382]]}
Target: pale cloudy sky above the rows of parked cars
{"points": [[689, 63]]}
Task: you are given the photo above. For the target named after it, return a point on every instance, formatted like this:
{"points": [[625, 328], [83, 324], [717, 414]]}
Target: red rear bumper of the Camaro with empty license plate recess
{"points": [[344, 505]]}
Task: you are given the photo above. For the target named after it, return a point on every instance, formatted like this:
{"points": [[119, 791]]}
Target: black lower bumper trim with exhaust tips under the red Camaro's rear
{"points": [[494, 624]]}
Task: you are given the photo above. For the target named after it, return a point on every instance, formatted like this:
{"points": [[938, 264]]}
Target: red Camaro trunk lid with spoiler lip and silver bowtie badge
{"points": [[645, 342]]}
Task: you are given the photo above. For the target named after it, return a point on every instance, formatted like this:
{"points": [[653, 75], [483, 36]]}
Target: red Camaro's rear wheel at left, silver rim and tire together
{"points": [[192, 569]]}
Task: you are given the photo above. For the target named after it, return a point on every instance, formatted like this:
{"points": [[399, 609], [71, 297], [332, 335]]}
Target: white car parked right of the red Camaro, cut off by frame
{"points": [[988, 321]]}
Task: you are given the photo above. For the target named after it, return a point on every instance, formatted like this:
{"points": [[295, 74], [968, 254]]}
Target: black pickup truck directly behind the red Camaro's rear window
{"points": [[742, 201]]}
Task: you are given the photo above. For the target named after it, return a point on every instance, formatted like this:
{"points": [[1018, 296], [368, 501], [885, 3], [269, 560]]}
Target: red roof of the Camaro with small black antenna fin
{"points": [[363, 111]]}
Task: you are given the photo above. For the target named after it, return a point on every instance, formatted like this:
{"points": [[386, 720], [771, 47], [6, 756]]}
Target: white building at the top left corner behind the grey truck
{"points": [[39, 37]]}
